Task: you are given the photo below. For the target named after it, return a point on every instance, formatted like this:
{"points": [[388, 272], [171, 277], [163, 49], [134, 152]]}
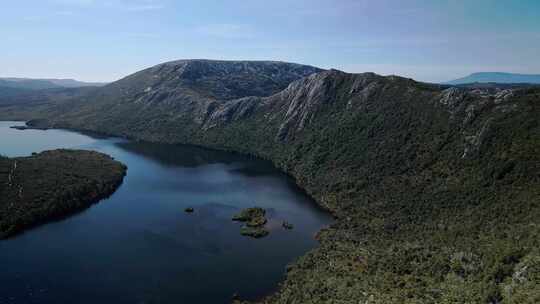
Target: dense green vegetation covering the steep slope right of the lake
{"points": [[436, 203]]}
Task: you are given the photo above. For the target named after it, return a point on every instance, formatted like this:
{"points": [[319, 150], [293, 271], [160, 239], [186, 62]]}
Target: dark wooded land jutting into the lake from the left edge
{"points": [[53, 184]]}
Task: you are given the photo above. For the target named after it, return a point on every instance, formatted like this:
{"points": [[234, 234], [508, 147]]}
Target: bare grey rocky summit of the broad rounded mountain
{"points": [[180, 81]]}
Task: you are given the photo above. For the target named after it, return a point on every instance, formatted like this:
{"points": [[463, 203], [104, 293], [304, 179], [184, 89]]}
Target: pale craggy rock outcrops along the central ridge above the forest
{"points": [[299, 103]]}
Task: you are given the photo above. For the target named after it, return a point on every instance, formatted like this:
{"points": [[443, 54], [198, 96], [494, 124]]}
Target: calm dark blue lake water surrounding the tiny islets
{"points": [[139, 246]]}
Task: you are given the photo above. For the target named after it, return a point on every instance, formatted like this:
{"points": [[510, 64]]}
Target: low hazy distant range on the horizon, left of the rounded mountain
{"points": [[41, 84]]}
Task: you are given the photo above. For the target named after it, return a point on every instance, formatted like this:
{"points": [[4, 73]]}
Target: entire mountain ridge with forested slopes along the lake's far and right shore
{"points": [[435, 190]]}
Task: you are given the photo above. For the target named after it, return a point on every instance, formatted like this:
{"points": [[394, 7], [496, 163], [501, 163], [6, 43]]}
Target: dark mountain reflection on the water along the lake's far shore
{"points": [[192, 156]]}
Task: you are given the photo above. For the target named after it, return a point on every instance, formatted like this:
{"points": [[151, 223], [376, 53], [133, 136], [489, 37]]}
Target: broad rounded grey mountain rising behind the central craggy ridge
{"points": [[184, 94]]}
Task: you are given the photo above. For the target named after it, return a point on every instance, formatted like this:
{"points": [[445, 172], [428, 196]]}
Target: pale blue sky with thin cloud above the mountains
{"points": [[428, 40]]}
